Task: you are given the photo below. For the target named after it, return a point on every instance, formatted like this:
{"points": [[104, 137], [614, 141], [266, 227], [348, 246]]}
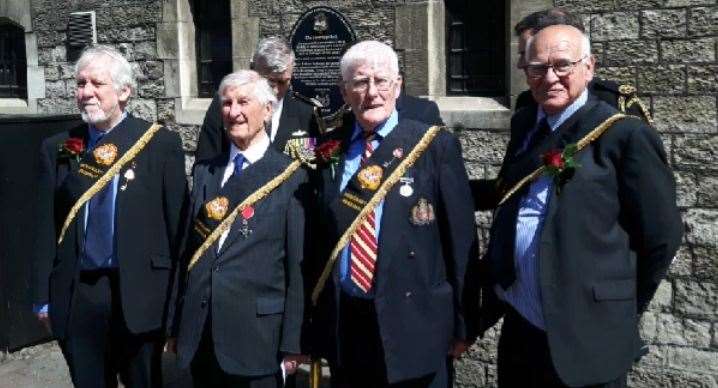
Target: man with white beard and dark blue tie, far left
{"points": [[110, 195]]}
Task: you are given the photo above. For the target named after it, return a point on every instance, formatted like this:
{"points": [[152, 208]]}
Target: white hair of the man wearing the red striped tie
{"points": [[369, 52]]}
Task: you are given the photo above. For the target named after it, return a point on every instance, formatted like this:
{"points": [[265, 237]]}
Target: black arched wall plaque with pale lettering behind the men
{"points": [[317, 39]]}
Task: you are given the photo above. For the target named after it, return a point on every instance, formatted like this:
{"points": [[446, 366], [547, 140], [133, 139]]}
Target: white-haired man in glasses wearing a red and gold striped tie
{"points": [[401, 237]]}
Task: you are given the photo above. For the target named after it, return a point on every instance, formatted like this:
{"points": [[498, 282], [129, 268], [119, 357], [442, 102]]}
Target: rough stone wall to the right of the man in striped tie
{"points": [[667, 49]]}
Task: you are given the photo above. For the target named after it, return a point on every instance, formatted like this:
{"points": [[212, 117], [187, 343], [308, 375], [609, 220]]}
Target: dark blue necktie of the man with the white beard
{"points": [[100, 224]]}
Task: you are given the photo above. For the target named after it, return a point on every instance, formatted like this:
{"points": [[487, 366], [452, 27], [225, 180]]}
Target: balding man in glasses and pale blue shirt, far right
{"points": [[585, 230]]}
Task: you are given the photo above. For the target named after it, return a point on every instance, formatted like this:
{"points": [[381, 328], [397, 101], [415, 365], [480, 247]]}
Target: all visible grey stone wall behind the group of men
{"points": [[667, 48]]}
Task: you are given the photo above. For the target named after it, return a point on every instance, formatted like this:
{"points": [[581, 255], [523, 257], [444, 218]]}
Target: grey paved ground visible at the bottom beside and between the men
{"points": [[42, 366]]}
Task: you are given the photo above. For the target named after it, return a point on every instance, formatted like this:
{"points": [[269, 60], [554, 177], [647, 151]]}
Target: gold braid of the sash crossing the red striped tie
{"points": [[380, 193]]}
